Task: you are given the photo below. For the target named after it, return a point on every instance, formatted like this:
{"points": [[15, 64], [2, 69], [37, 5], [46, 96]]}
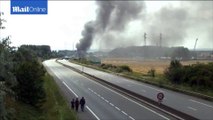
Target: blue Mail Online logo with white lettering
{"points": [[28, 7]]}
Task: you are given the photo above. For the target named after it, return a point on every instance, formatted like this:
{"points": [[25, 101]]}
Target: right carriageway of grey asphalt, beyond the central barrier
{"points": [[193, 106]]}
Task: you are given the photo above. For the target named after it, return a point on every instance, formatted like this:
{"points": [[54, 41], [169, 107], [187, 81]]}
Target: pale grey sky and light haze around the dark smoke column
{"points": [[179, 22]]}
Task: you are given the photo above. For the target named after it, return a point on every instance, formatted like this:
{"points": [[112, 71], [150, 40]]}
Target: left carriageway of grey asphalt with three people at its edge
{"points": [[102, 103]]}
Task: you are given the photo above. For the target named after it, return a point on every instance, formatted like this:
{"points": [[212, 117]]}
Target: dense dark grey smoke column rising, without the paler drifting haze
{"points": [[111, 16]]}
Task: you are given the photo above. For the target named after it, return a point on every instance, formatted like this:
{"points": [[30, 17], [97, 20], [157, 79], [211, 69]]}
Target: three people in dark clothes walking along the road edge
{"points": [[75, 104]]}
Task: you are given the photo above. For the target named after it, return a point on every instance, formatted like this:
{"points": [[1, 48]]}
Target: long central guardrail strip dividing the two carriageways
{"points": [[154, 104]]}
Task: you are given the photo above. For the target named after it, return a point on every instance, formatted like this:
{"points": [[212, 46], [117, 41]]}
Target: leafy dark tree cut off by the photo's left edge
{"points": [[7, 79]]}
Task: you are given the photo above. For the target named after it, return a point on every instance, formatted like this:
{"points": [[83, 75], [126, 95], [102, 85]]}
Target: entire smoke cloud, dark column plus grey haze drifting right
{"points": [[111, 28]]}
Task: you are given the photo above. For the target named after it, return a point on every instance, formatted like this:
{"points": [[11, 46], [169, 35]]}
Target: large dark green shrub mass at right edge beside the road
{"points": [[196, 75]]}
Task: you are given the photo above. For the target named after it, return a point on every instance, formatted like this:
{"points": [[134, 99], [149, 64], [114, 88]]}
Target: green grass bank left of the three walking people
{"points": [[54, 108]]}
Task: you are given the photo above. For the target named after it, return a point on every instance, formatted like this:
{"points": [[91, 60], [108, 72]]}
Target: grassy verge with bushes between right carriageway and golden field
{"points": [[158, 80]]}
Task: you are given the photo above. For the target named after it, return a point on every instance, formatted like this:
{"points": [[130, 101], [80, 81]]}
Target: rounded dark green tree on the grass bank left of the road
{"points": [[30, 83]]}
